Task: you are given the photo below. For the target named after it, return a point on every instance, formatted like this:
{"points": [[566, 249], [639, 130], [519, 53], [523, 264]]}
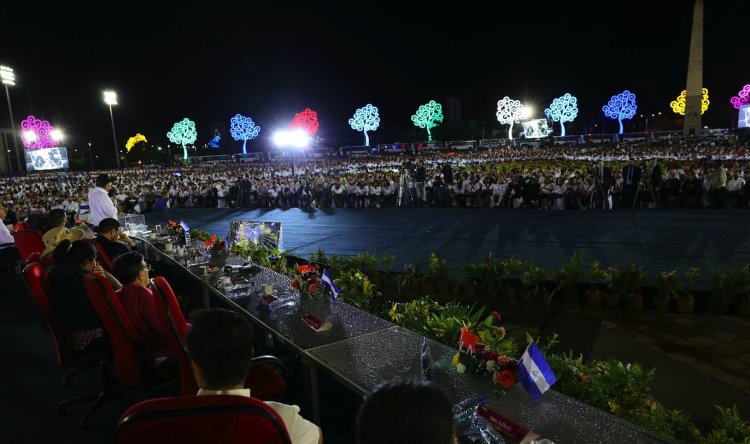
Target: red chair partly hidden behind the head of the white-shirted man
{"points": [[264, 382]]}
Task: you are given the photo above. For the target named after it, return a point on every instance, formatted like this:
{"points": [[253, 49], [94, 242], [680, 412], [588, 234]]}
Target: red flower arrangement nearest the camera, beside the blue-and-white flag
{"points": [[486, 353]]}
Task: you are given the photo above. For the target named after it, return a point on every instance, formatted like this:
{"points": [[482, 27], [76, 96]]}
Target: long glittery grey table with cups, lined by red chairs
{"points": [[362, 350]]}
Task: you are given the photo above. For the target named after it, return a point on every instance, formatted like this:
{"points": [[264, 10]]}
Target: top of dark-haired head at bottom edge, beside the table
{"points": [[406, 412]]}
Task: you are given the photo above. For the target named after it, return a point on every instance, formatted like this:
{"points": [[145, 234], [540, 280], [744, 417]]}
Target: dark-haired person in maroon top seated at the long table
{"points": [[135, 295]]}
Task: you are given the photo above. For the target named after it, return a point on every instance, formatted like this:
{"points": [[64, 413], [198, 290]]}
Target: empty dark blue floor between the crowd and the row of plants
{"points": [[656, 240]]}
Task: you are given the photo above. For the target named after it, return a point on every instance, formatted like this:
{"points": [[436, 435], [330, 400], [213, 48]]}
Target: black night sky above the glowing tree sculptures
{"points": [[269, 60]]}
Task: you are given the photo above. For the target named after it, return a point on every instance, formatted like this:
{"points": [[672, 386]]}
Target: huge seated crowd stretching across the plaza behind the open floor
{"points": [[692, 175]]}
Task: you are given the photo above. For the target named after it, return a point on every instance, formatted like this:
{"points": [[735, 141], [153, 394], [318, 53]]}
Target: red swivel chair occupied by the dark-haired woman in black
{"points": [[38, 287]]}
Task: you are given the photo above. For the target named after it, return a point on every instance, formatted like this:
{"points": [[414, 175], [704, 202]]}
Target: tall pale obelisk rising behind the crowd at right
{"points": [[692, 125]]}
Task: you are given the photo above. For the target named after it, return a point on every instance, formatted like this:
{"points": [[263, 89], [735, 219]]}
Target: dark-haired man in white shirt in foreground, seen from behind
{"points": [[220, 346]]}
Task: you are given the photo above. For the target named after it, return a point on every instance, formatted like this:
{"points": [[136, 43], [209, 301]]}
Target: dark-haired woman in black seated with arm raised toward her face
{"points": [[69, 300]]}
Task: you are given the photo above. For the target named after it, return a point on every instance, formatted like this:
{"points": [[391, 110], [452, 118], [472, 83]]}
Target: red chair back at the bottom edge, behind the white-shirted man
{"points": [[224, 419]]}
